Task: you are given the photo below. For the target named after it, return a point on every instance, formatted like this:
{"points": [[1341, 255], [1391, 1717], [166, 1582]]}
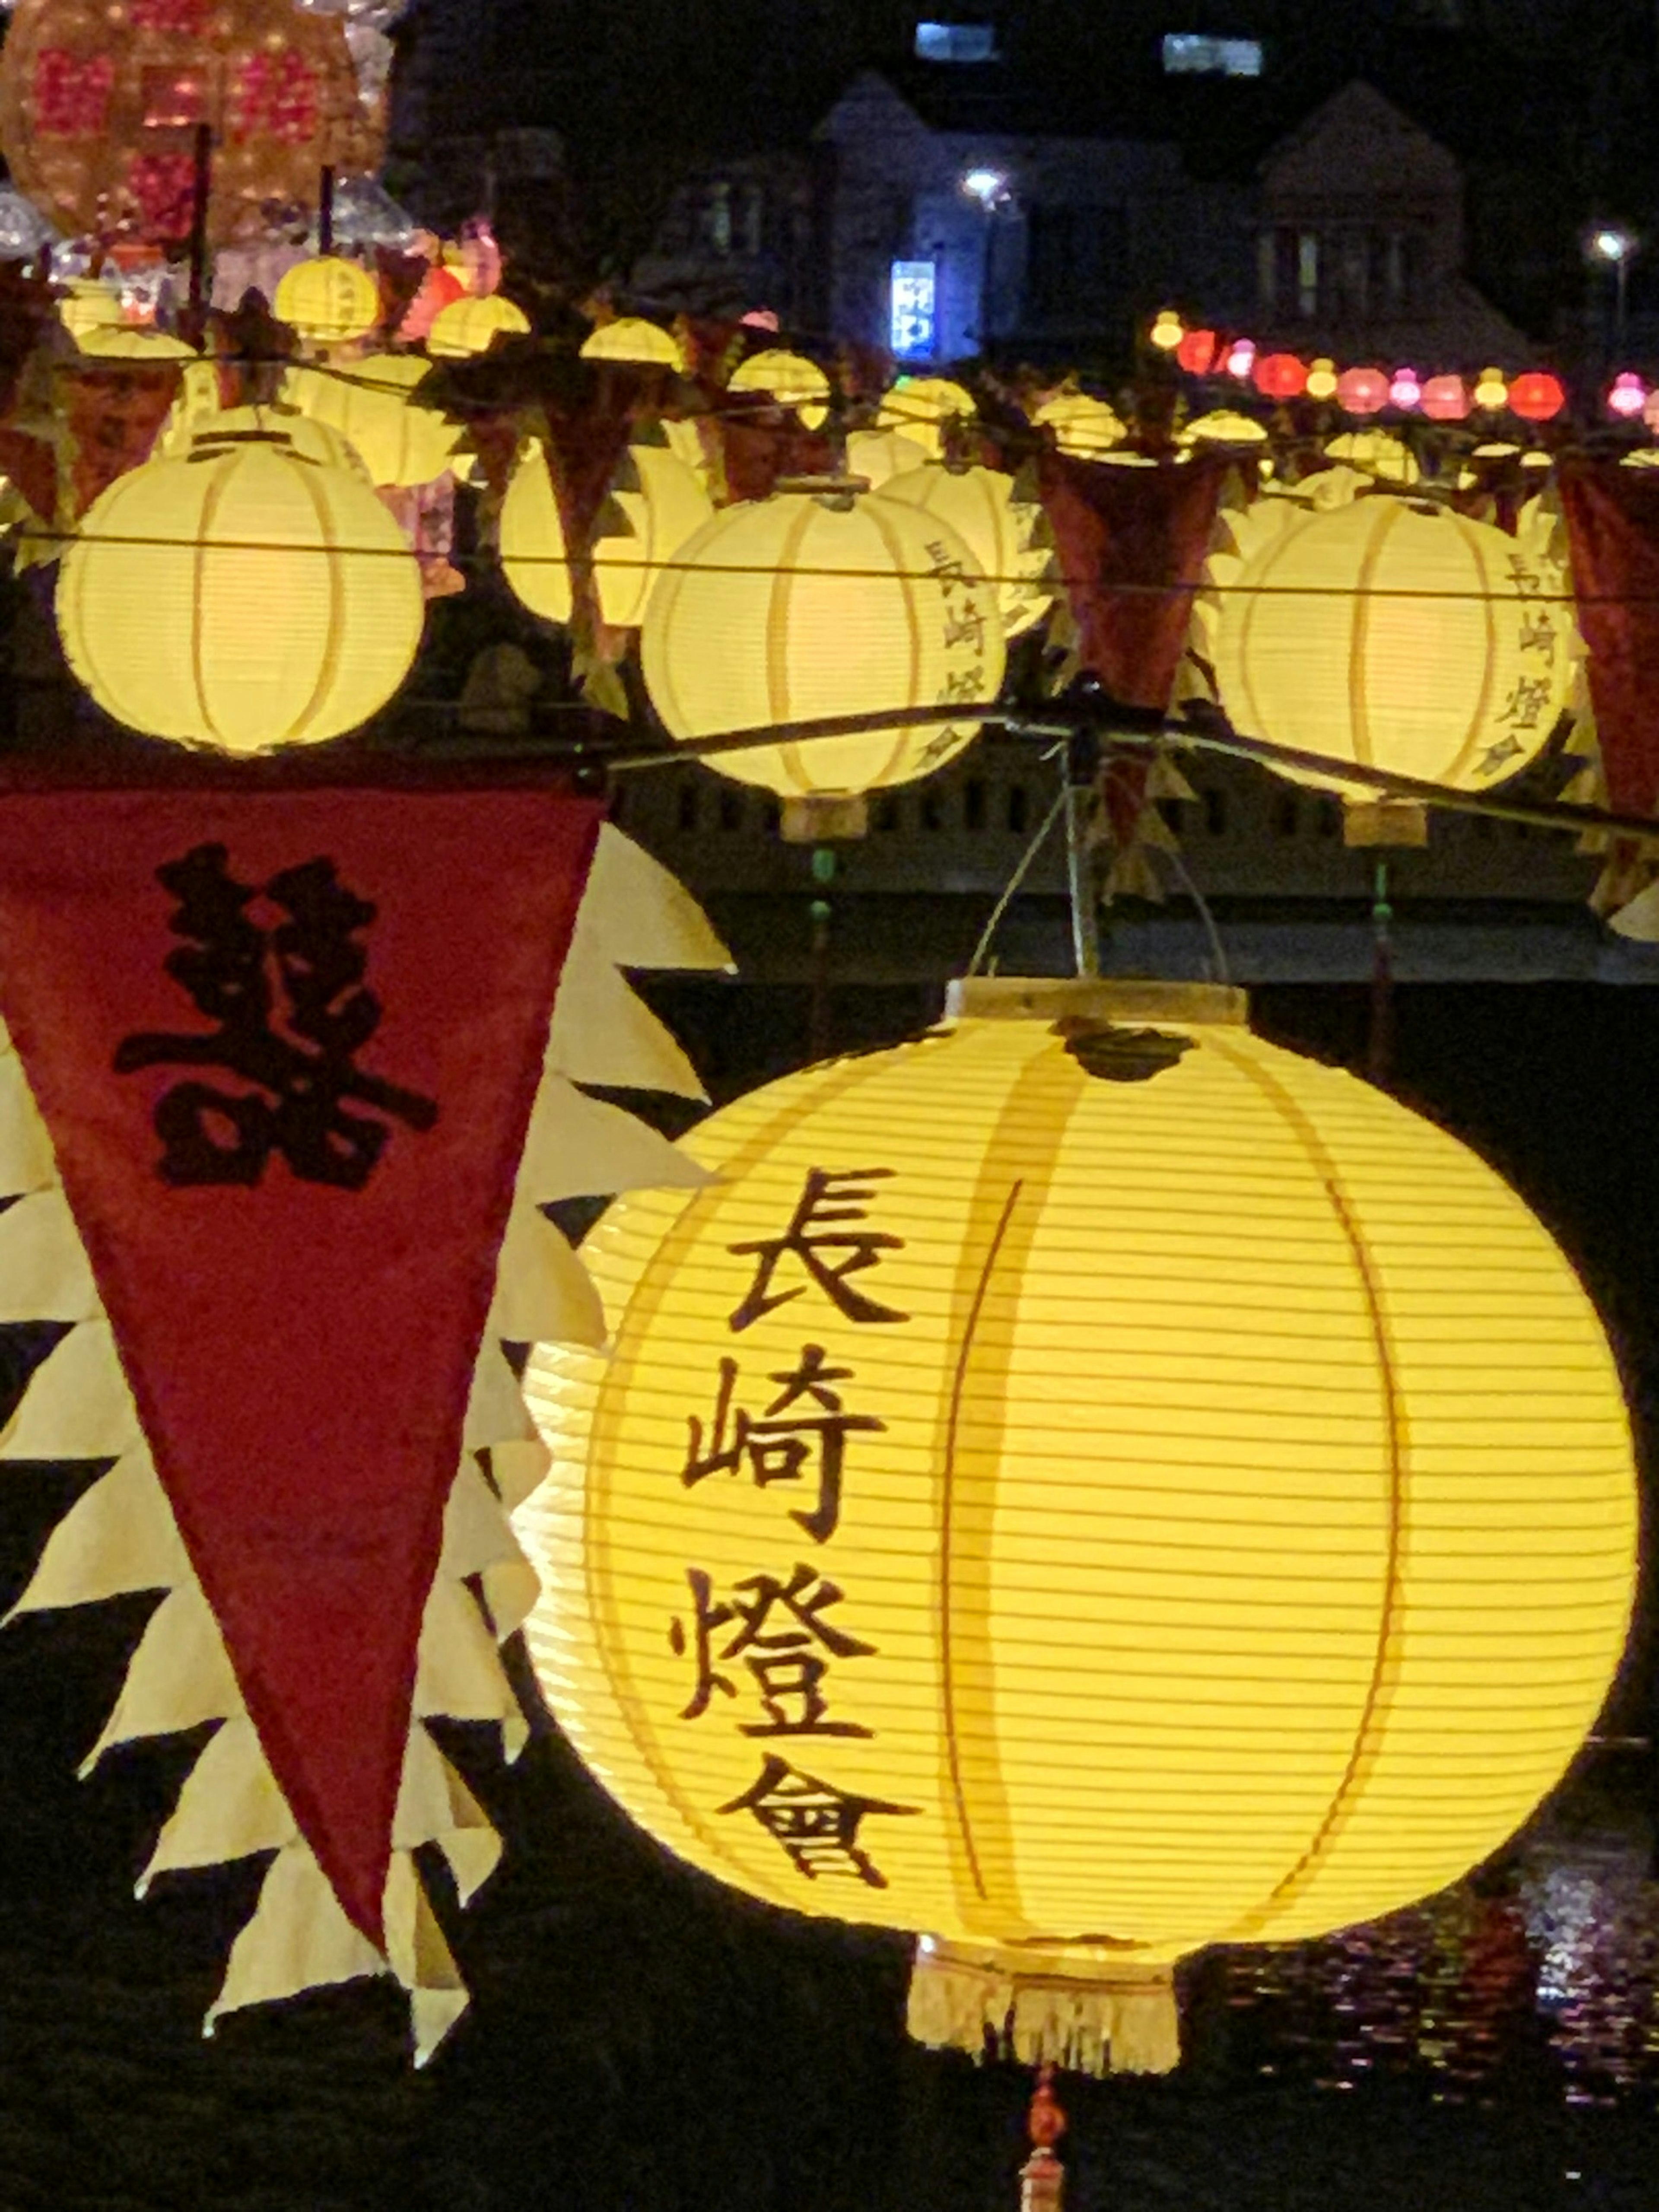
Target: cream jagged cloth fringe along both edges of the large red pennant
{"points": [[121, 1538]]}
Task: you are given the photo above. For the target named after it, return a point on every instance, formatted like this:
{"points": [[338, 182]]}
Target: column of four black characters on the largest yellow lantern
{"points": [[775, 1651]]}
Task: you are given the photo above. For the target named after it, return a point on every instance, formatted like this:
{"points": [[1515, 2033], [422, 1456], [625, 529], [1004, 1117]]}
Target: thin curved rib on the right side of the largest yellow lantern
{"points": [[1386, 1656]]}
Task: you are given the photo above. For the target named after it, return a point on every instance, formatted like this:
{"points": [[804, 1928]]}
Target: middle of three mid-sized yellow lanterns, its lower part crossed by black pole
{"points": [[802, 607]]}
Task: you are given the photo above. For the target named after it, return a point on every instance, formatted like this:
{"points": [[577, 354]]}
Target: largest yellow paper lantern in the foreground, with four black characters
{"points": [[1081, 1492]]}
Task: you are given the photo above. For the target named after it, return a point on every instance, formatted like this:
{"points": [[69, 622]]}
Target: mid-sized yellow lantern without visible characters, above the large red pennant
{"points": [[247, 596]]}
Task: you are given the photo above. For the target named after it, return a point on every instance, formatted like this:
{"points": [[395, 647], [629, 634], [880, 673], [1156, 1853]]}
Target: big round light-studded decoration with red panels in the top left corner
{"points": [[101, 112]]}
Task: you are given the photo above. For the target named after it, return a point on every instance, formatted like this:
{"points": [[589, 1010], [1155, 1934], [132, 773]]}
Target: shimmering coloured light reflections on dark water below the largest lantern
{"points": [[1538, 1976]]}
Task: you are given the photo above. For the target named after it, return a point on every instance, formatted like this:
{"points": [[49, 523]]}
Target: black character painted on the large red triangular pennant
{"points": [[300, 1076]]}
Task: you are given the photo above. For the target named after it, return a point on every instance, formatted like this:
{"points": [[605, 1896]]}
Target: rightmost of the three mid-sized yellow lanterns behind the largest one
{"points": [[1395, 636]]}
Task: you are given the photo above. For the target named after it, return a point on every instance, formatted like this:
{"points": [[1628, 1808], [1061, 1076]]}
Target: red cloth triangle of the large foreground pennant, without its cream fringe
{"points": [[302, 1326]]}
